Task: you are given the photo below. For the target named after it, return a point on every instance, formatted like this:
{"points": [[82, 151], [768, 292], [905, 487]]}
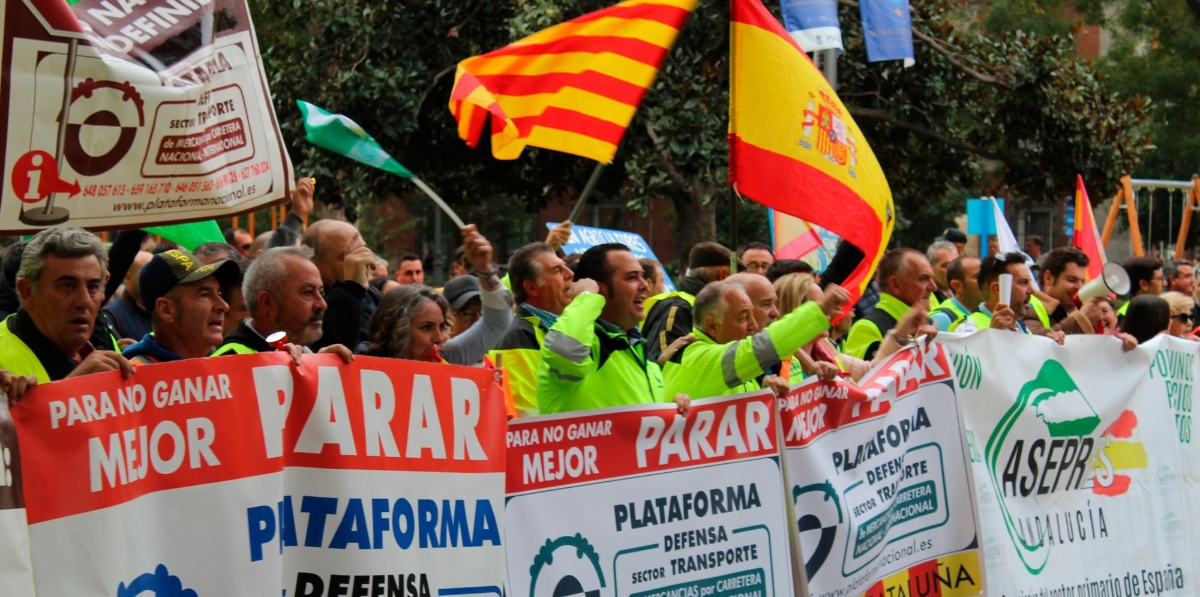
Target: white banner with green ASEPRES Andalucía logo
{"points": [[1081, 473]]}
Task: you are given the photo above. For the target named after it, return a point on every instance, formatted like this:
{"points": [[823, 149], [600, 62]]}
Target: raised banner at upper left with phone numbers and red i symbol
{"points": [[122, 114]]}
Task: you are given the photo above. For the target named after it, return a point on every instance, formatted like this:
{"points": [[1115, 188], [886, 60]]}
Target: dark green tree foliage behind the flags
{"points": [[1012, 113]]}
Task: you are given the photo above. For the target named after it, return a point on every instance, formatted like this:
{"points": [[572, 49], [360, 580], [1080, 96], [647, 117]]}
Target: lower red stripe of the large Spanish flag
{"points": [[801, 190]]}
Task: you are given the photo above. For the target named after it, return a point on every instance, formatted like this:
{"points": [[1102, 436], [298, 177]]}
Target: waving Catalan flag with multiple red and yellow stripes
{"points": [[572, 88]]}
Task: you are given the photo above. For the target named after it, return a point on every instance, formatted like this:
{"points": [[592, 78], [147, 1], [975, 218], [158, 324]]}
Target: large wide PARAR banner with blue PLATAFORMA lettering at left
{"points": [[247, 475]]}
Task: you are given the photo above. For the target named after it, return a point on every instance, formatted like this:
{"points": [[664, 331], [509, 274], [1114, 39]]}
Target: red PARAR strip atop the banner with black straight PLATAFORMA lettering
{"points": [[566, 450]]}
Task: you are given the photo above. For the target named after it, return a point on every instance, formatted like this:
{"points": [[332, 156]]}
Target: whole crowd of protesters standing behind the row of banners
{"points": [[569, 333]]}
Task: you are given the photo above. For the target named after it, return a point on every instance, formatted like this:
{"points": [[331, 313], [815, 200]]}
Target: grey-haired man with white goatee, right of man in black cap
{"points": [[284, 294]]}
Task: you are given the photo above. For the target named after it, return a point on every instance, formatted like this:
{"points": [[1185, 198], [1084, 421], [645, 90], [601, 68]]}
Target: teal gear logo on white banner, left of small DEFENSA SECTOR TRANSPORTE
{"points": [[573, 572]]}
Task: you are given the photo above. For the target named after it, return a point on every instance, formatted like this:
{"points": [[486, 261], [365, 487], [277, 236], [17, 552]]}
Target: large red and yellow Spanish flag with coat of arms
{"points": [[793, 144]]}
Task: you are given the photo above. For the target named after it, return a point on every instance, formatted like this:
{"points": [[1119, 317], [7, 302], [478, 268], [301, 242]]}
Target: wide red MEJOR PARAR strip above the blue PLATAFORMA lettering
{"points": [[98, 442]]}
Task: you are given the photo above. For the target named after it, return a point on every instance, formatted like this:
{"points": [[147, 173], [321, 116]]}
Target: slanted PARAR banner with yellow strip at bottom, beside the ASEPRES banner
{"points": [[880, 480]]}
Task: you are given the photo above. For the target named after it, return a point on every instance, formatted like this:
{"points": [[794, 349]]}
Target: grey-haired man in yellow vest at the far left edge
{"points": [[62, 288]]}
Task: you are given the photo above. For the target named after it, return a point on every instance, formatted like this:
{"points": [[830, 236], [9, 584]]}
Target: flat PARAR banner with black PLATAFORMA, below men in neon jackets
{"points": [[643, 502]]}
